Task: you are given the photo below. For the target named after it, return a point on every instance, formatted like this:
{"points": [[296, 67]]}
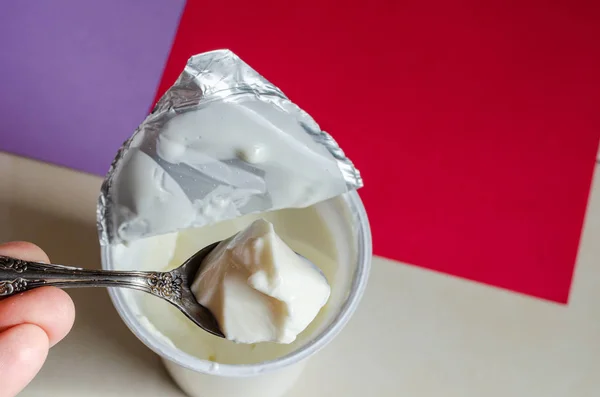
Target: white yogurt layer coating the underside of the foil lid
{"points": [[235, 157]]}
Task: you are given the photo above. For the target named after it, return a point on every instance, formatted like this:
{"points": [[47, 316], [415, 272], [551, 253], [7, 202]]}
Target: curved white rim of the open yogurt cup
{"points": [[357, 288]]}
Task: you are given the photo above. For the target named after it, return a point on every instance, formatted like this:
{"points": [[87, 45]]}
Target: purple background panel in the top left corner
{"points": [[77, 77]]}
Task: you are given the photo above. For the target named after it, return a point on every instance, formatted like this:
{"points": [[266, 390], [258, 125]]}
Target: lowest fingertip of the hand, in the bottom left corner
{"points": [[23, 350]]}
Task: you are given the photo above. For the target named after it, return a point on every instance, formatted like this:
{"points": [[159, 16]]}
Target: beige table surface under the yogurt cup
{"points": [[434, 335]]}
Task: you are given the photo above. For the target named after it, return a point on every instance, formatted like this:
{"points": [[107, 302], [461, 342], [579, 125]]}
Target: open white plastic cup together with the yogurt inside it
{"points": [[333, 234]]}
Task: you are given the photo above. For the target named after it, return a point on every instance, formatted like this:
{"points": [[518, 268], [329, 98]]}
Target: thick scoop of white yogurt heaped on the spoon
{"points": [[258, 288]]}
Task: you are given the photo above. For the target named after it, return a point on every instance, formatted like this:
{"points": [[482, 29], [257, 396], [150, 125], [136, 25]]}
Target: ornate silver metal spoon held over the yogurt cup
{"points": [[17, 275]]}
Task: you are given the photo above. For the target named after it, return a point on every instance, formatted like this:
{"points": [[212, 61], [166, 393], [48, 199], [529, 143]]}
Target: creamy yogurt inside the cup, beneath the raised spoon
{"points": [[312, 232]]}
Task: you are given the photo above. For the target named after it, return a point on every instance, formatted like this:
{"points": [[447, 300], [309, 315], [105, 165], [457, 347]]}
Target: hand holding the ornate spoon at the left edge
{"points": [[30, 323]]}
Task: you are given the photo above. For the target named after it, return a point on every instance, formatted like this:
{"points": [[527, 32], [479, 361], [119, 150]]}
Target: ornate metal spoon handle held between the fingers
{"points": [[17, 275]]}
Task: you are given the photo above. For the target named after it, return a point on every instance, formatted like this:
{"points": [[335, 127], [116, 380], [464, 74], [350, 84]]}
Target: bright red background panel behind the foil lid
{"points": [[475, 124]]}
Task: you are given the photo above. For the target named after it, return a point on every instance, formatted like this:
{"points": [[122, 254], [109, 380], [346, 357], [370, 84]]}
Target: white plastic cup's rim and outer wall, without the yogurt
{"points": [[203, 378]]}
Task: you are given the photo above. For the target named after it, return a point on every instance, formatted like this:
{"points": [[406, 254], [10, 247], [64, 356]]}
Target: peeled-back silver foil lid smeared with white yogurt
{"points": [[221, 143]]}
